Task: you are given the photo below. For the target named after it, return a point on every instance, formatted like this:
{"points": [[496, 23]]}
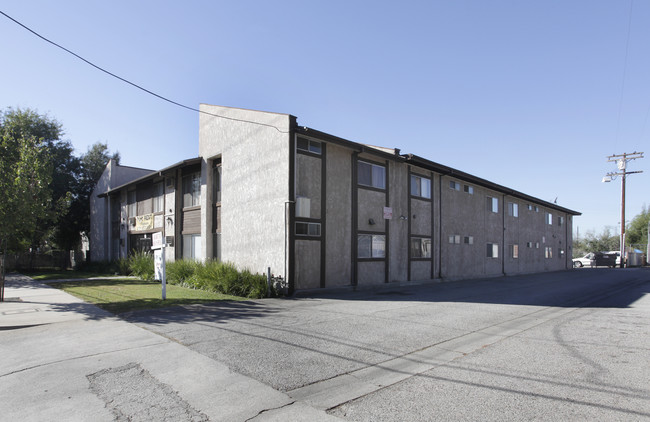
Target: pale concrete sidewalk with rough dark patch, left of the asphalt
{"points": [[63, 359]]}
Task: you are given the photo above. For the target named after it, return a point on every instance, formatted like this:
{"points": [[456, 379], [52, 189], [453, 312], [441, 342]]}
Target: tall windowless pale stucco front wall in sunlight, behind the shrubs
{"points": [[255, 185]]}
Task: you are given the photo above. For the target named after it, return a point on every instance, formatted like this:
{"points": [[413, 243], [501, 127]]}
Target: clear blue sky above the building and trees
{"points": [[533, 95]]}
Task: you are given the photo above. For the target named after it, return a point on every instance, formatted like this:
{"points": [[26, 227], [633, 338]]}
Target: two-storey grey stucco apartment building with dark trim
{"points": [[323, 211]]}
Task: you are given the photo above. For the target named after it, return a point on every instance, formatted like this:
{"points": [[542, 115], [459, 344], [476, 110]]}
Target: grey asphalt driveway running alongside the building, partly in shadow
{"points": [[562, 346]]}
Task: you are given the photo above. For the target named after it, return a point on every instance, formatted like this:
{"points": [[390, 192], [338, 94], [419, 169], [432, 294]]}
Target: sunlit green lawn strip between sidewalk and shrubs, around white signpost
{"points": [[125, 295]]}
